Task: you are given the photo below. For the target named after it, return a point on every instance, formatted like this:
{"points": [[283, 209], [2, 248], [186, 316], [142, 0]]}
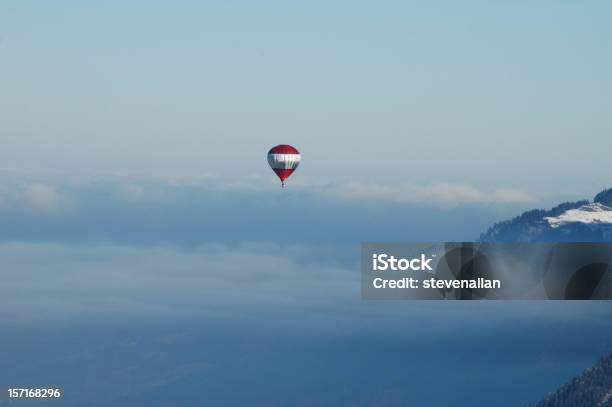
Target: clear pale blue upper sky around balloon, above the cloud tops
{"points": [[491, 94]]}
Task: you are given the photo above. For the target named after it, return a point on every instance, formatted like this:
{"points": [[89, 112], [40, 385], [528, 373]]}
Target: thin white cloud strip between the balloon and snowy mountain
{"points": [[440, 193]]}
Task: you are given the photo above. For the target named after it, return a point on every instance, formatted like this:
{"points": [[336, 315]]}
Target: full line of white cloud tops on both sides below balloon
{"points": [[50, 194]]}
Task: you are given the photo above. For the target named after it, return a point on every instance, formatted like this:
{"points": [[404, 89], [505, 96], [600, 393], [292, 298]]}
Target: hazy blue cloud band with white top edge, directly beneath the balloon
{"points": [[205, 210]]}
